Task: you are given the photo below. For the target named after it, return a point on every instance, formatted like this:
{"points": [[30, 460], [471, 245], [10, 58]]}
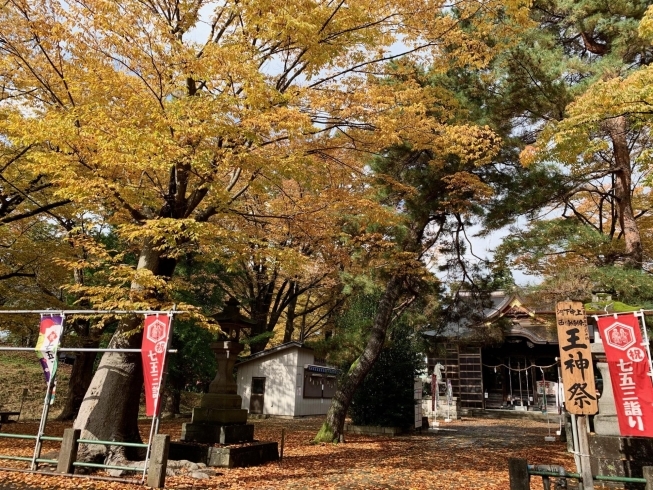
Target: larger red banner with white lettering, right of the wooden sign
{"points": [[629, 368]]}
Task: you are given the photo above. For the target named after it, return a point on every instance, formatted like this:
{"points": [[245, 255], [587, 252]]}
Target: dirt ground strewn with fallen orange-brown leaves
{"points": [[462, 455]]}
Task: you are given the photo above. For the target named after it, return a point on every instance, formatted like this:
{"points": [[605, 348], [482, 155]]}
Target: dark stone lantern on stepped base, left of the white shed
{"points": [[218, 433]]}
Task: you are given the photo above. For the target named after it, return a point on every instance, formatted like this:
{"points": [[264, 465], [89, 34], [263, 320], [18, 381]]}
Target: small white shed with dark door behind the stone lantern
{"points": [[285, 381]]}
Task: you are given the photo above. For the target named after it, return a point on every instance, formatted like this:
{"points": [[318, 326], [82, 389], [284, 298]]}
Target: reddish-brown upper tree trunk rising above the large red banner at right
{"points": [[616, 129]]}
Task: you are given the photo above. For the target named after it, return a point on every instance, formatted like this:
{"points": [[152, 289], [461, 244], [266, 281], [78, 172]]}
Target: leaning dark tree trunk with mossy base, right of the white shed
{"points": [[333, 426]]}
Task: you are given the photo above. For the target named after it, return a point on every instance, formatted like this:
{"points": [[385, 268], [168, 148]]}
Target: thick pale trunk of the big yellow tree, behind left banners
{"points": [[110, 408]]}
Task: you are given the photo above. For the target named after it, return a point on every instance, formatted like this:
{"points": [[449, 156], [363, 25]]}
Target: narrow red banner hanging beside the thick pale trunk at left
{"points": [[153, 352]]}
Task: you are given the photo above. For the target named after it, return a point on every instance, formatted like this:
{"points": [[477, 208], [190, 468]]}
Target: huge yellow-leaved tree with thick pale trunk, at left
{"points": [[163, 115]]}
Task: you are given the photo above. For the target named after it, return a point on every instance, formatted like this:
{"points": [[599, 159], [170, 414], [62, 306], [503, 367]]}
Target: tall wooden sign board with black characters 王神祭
{"points": [[576, 359]]}
